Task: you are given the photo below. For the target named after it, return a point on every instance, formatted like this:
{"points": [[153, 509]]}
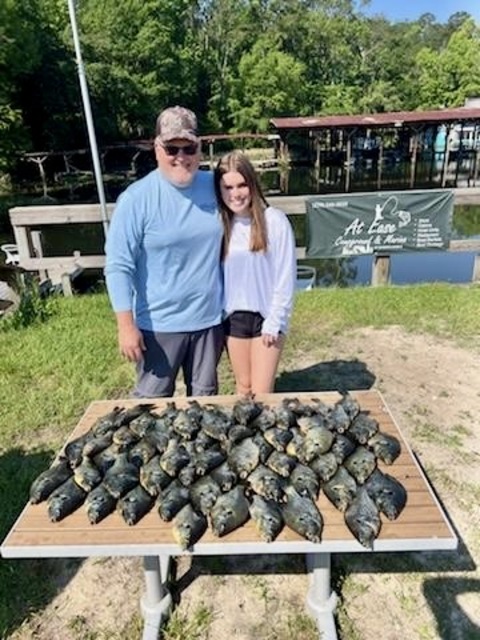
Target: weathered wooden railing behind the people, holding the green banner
{"points": [[60, 270]]}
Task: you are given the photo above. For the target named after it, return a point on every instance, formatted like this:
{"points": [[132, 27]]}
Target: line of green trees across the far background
{"points": [[237, 63]]}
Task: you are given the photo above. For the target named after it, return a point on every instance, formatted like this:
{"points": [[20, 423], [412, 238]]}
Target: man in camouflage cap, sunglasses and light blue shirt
{"points": [[163, 266]]}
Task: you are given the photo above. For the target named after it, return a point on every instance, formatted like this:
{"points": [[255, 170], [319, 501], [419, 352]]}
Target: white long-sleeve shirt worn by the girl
{"points": [[262, 282]]}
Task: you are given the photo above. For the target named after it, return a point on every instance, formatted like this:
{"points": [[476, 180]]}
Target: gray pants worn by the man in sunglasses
{"points": [[197, 353]]}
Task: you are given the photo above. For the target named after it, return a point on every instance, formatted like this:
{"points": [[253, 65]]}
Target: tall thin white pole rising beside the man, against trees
{"points": [[88, 116]]}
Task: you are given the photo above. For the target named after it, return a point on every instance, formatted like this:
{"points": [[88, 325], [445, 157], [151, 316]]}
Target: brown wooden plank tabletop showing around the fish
{"points": [[422, 520]]}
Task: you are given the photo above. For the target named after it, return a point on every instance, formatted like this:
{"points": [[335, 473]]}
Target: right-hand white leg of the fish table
{"points": [[321, 600]]}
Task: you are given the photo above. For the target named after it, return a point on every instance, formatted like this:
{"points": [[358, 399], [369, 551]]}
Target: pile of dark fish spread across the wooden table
{"points": [[212, 465]]}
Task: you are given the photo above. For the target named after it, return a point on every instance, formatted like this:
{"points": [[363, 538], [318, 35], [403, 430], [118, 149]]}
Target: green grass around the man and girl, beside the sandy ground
{"points": [[50, 372]]}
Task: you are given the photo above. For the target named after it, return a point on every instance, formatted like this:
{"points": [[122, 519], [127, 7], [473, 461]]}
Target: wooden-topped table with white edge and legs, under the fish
{"points": [[422, 525]]}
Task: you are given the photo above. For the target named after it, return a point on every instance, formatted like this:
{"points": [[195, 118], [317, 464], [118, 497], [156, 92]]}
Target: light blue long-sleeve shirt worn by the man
{"points": [[163, 254]]}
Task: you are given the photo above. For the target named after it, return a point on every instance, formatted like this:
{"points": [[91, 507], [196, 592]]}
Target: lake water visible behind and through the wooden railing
{"points": [[406, 268]]}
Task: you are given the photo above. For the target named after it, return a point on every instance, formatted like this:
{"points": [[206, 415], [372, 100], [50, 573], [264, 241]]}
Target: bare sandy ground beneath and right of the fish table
{"points": [[432, 389]]}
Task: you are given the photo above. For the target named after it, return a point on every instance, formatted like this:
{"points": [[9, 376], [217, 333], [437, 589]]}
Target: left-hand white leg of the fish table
{"points": [[156, 603]]}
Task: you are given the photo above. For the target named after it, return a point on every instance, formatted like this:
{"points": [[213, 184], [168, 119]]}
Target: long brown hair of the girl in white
{"points": [[238, 161]]}
